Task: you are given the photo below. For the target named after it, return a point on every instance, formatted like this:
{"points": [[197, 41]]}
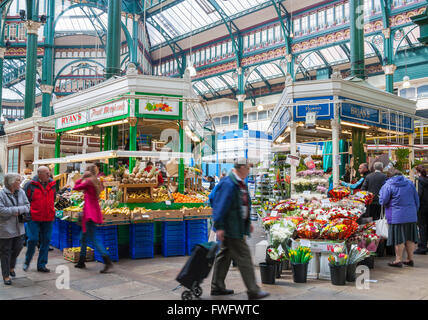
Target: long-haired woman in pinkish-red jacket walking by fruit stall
{"points": [[92, 188]]}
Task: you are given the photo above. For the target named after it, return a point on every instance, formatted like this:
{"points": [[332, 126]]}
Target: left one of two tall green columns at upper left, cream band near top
{"points": [[32, 26]]}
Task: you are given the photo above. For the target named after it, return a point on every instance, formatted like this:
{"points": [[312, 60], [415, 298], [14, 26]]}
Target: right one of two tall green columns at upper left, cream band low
{"points": [[48, 61]]}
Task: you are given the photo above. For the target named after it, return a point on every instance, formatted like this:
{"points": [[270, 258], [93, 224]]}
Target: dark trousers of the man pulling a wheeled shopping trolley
{"points": [[238, 250]]}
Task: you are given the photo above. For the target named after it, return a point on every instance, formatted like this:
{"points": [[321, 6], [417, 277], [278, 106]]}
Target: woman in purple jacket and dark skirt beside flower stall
{"points": [[401, 201]]}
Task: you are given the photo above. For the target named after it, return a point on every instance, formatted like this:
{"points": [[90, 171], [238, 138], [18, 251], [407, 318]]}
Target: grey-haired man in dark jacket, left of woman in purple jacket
{"points": [[373, 183]]}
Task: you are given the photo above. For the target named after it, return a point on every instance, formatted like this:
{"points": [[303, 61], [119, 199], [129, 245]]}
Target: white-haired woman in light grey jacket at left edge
{"points": [[13, 205]]}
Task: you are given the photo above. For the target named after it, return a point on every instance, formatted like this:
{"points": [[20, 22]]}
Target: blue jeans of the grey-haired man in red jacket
{"points": [[33, 230]]}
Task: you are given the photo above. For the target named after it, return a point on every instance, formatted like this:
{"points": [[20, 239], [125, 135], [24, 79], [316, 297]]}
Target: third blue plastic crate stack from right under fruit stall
{"points": [[141, 240]]}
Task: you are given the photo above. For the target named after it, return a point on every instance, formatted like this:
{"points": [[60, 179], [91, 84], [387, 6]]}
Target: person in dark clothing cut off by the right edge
{"points": [[423, 209]]}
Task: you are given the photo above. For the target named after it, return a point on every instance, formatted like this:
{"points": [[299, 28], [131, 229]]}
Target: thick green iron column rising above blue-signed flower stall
{"points": [[356, 15]]}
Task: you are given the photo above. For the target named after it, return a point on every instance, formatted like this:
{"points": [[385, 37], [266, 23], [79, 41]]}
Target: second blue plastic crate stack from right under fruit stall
{"points": [[173, 238]]}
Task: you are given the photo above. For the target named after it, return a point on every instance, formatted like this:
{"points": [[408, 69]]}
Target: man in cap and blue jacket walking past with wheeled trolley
{"points": [[231, 215]]}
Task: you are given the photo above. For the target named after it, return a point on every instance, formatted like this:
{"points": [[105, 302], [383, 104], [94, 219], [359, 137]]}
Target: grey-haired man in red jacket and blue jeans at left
{"points": [[41, 193]]}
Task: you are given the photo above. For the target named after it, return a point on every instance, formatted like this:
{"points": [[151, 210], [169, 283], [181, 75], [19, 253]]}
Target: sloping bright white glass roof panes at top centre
{"points": [[191, 15]]}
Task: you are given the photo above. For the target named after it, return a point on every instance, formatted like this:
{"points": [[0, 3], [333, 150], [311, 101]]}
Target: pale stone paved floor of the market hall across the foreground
{"points": [[154, 279]]}
